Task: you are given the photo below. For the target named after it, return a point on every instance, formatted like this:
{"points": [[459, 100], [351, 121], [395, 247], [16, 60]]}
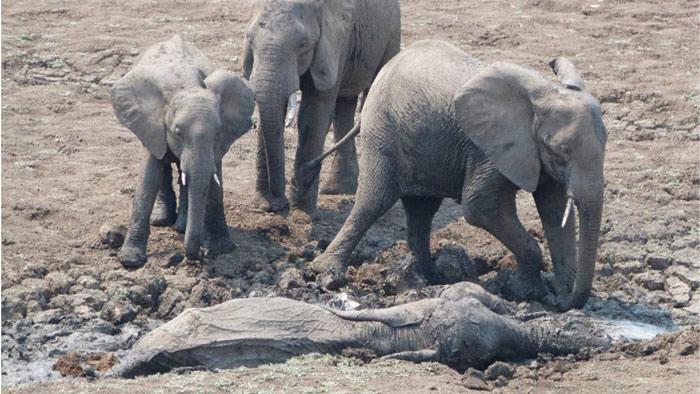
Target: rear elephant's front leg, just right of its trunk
{"points": [[314, 119]]}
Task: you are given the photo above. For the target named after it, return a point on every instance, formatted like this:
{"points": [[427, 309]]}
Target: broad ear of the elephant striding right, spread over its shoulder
{"points": [[496, 112]]}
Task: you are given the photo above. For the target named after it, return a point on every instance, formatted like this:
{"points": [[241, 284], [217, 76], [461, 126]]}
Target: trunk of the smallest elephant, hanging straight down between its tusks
{"points": [[199, 175]]}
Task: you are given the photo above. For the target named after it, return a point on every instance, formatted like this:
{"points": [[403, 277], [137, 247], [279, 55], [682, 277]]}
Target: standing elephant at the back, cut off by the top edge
{"points": [[332, 51]]}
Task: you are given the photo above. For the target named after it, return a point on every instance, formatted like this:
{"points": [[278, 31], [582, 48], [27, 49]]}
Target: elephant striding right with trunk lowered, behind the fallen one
{"points": [[438, 123]]}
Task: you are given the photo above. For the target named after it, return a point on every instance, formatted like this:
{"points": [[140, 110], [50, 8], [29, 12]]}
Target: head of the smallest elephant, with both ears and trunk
{"points": [[197, 125]]}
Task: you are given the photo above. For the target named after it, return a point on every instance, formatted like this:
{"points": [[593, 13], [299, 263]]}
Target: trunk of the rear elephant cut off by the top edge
{"points": [[273, 80]]}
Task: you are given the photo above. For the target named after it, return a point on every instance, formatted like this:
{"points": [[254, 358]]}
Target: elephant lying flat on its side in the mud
{"points": [[461, 328]]}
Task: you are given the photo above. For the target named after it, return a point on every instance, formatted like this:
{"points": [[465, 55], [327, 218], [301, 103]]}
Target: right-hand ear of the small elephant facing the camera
{"points": [[237, 103]]}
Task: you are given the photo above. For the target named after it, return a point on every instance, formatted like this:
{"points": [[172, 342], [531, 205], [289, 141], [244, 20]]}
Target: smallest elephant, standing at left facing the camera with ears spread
{"points": [[186, 112]]}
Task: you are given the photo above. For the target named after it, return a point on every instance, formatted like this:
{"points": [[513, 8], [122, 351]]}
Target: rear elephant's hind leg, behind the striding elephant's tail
{"points": [[343, 174]]}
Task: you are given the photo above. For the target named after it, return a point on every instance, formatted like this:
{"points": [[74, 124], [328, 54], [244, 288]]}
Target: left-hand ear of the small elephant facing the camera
{"points": [[138, 103]]}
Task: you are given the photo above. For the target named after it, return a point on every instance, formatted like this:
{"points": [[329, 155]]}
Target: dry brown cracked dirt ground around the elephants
{"points": [[68, 168]]}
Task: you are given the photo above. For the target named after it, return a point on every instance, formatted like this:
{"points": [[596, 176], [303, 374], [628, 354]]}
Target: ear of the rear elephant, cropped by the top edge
{"points": [[336, 25]]}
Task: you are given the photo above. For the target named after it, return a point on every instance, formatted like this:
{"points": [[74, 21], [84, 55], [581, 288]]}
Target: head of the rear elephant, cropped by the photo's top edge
{"points": [[284, 41]]}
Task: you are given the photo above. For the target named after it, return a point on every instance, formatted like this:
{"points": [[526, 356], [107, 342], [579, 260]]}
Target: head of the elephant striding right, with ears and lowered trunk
{"points": [[551, 141]]}
